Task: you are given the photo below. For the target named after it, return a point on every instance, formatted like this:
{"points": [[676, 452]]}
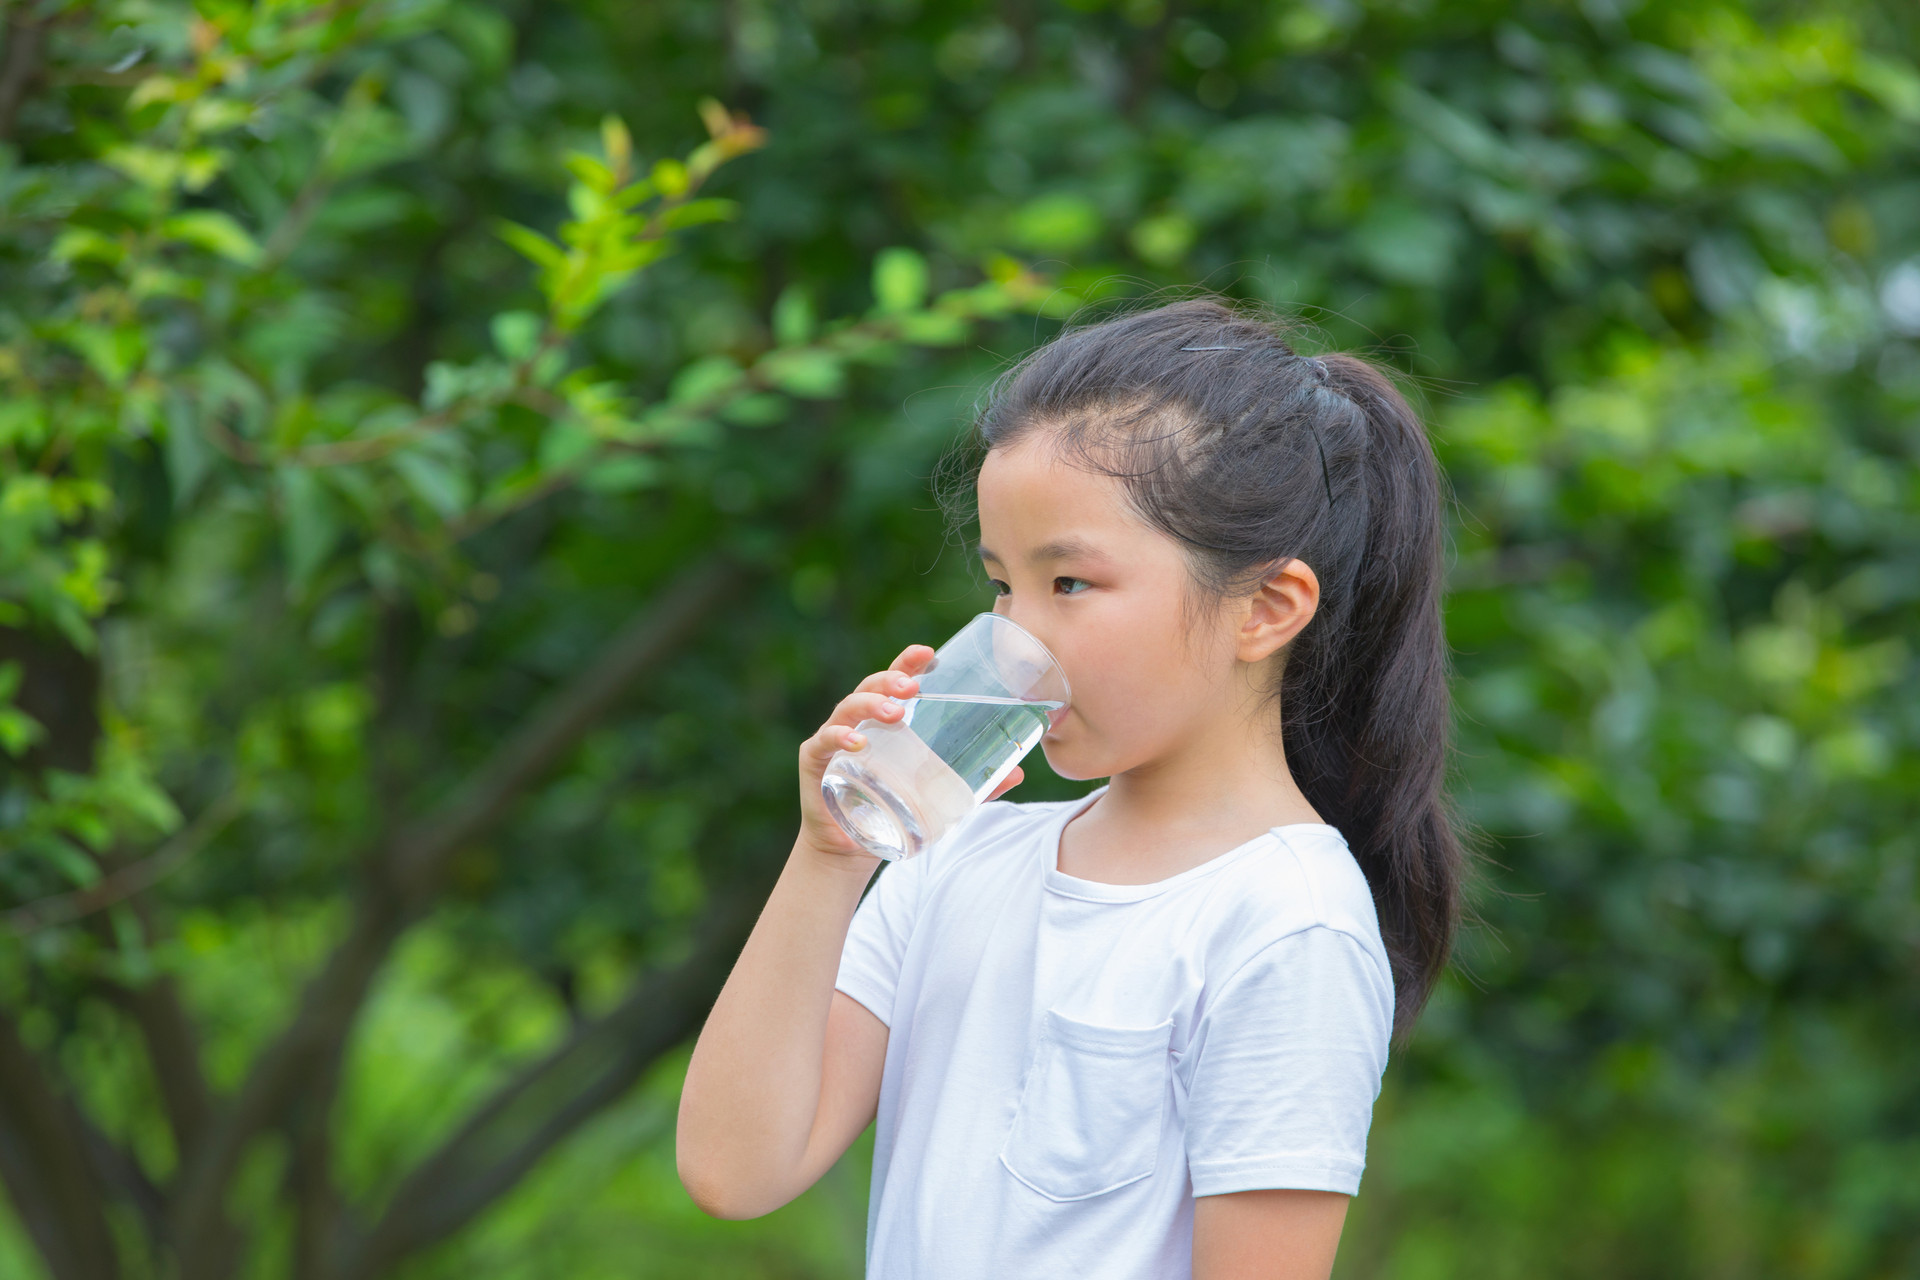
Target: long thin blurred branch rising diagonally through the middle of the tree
{"points": [[404, 876]]}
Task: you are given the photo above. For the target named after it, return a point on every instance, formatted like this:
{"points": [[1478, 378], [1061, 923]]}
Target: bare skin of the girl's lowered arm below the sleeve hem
{"points": [[1278, 1235]]}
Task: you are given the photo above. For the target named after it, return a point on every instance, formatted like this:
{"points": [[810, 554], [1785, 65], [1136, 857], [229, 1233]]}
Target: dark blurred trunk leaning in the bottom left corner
{"points": [[47, 1170]]}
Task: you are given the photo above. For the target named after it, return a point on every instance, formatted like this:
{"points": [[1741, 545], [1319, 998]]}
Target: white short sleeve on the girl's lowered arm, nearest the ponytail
{"points": [[1285, 1068]]}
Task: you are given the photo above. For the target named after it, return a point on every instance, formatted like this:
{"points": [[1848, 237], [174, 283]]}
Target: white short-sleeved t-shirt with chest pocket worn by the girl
{"points": [[1070, 1062]]}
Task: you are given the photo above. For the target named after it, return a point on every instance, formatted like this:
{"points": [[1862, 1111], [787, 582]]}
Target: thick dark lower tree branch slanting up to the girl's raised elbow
{"points": [[550, 1101]]}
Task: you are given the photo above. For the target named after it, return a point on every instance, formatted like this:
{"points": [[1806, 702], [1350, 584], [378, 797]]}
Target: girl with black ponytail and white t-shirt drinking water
{"points": [[1134, 1035]]}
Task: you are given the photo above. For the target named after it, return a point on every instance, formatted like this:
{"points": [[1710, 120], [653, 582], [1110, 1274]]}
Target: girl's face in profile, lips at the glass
{"points": [[1105, 592]]}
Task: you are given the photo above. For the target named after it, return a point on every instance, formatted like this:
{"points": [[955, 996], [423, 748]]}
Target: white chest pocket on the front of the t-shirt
{"points": [[1092, 1108]]}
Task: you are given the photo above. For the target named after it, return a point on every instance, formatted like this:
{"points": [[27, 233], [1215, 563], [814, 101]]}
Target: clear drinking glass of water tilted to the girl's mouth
{"points": [[986, 699]]}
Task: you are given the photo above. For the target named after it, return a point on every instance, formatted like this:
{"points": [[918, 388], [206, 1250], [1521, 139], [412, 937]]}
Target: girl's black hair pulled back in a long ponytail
{"points": [[1251, 456]]}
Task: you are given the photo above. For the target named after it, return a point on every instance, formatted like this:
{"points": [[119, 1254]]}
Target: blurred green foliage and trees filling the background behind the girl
{"points": [[373, 377]]}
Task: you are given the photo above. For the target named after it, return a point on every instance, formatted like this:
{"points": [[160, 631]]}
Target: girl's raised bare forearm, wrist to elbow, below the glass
{"points": [[754, 1087]]}
